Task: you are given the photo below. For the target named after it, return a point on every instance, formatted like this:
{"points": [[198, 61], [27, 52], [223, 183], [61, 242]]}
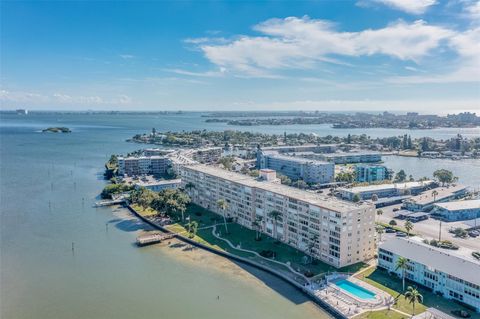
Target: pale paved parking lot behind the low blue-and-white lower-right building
{"points": [[430, 228]]}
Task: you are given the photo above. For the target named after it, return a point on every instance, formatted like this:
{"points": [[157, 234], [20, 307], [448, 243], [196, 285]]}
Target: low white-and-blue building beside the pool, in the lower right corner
{"points": [[455, 275]]}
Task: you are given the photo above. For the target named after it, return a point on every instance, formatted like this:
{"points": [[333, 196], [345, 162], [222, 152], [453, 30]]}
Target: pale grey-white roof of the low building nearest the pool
{"points": [[444, 260]]}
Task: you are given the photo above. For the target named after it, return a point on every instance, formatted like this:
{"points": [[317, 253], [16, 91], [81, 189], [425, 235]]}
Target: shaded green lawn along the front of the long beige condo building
{"points": [[243, 237]]}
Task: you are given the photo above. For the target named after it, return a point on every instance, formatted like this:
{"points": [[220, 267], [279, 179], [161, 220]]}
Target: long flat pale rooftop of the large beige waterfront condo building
{"points": [[327, 202]]}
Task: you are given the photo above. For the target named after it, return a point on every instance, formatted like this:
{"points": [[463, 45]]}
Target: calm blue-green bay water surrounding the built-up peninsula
{"points": [[48, 184]]}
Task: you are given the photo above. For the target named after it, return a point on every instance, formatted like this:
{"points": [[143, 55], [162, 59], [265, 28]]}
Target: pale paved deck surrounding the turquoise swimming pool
{"points": [[347, 303]]}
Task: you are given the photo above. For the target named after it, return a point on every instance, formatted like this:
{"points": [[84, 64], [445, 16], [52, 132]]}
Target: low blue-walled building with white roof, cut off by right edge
{"points": [[458, 210]]}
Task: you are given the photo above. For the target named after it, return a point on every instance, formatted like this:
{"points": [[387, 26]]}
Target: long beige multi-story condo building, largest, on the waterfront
{"points": [[337, 232]]}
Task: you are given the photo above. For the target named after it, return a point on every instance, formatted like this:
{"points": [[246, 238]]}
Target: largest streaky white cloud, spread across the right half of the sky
{"points": [[301, 43]]}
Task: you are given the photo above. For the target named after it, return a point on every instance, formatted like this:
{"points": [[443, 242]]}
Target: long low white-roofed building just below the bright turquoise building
{"points": [[384, 190]]}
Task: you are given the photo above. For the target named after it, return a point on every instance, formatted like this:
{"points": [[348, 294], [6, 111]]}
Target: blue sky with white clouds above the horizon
{"points": [[371, 55]]}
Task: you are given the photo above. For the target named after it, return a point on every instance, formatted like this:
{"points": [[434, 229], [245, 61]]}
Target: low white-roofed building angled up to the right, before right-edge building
{"points": [[425, 201]]}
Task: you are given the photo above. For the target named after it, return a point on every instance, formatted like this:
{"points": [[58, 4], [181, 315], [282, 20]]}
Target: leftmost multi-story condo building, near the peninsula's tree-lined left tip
{"points": [[142, 165]]}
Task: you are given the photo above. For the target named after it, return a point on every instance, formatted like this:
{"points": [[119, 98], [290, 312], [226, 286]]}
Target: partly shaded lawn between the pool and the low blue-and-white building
{"points": [[393, 285]]}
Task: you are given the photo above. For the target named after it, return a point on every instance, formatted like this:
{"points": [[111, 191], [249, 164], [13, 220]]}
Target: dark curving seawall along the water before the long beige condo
{"points": [[234, 258]]}
